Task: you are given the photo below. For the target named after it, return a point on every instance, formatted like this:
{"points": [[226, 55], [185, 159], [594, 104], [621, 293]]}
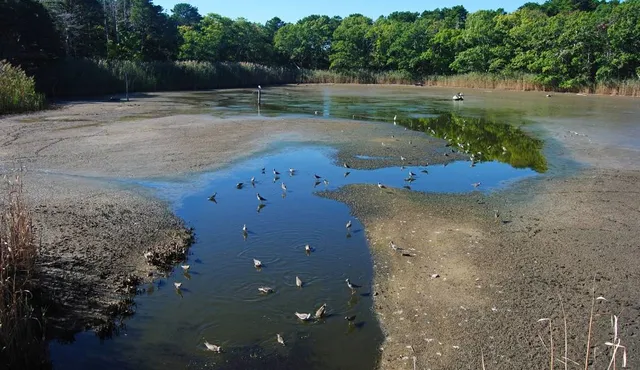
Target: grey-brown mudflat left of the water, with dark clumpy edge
{"points": [[95, 229]]}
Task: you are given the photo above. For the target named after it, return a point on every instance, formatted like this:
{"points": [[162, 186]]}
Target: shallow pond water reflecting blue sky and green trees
{"points": [[219, 301]]}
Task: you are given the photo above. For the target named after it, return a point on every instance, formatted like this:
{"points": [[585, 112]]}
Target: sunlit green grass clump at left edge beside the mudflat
{"points": [[17, 90]]}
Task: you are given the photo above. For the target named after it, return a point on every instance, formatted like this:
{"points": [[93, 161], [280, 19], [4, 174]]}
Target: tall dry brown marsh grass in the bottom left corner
{"points": [[22, 344]]}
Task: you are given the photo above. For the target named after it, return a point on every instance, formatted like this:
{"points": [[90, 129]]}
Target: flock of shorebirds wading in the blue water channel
{"points": [[320, 312]]}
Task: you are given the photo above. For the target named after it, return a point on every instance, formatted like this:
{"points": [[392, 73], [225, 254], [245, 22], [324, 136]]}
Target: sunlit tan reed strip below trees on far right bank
{"points": [[524, 82]]}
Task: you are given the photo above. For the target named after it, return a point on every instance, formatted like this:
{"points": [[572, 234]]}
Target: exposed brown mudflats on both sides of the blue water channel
{"points": [[495, 278]]}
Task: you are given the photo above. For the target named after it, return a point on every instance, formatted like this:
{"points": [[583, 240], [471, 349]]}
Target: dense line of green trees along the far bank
{"points": [[565, 43]]}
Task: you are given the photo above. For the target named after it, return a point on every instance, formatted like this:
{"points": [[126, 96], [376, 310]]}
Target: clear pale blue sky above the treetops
{"points": [[291, 10]]}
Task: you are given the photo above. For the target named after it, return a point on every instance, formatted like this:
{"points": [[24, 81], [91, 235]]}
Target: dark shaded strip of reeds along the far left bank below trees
{"points": [[84, 77]]}
